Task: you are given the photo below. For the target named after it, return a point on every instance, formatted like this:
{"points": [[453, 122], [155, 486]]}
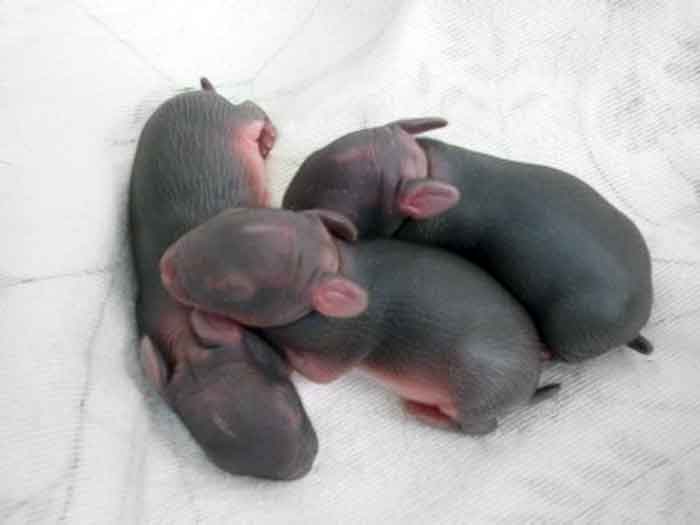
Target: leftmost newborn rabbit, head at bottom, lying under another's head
{"points": [[197, 155]]}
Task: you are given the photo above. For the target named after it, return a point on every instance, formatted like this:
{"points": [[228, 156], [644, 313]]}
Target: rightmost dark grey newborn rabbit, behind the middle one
{"points": [[578, 265]]}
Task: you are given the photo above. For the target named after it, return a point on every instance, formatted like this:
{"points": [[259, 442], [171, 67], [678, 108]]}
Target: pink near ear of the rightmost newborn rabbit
{"points": [[424, 198]]}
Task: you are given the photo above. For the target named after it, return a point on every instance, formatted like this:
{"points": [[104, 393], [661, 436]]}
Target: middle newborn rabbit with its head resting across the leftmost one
{"points": [[433, 327]]}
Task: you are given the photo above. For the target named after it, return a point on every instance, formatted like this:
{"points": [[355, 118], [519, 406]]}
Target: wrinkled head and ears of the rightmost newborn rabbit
{"points": [[375, 177]]}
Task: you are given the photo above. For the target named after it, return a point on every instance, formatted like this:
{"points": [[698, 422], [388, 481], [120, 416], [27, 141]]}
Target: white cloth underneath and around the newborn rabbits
{"points": [[608, 90]]}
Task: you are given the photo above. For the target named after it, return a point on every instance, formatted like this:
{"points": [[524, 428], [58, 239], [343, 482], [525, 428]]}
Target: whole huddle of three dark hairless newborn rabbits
{"points": [[448, 275]]}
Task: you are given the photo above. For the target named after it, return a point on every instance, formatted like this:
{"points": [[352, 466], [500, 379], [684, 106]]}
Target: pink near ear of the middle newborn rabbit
{"points": [[337, 296]]}
